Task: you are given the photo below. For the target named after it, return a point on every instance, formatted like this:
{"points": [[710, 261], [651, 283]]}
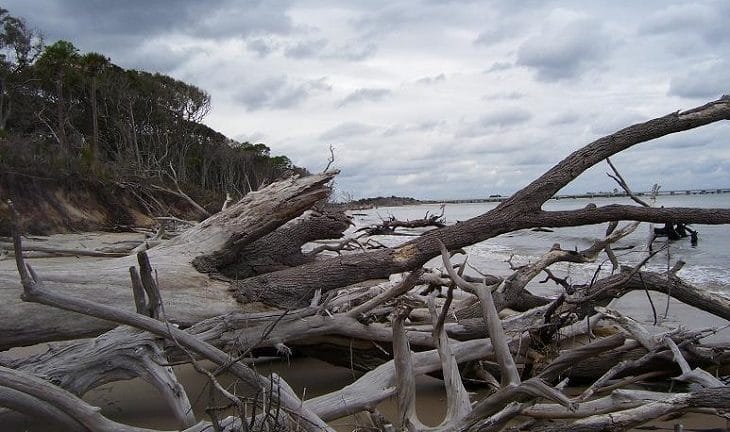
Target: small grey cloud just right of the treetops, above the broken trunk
{"points": [[279, 93]]}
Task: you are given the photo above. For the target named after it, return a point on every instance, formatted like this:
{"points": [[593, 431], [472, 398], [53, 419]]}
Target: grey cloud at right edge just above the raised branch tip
{"points": [[704, 81]]}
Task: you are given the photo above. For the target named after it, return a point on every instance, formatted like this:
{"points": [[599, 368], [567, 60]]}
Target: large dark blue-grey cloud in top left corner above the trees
{"points": [[119, 29]]}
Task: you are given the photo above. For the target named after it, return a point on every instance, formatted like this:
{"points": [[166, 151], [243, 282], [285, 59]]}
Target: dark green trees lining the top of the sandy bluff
{"points": [[65, 112]]}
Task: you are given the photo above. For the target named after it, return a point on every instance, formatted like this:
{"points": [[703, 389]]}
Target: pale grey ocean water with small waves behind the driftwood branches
{"points": [[707, 263]]}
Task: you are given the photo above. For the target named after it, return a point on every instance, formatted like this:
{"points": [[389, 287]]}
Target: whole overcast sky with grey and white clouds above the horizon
{"points": [[432, 99]]}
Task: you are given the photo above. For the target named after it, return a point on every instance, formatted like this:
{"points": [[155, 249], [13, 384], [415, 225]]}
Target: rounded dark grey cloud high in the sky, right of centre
{"points": [[565, 51]]}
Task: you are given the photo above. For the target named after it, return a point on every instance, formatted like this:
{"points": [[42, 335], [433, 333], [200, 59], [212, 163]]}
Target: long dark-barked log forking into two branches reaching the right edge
{"points": [[294, 287]]}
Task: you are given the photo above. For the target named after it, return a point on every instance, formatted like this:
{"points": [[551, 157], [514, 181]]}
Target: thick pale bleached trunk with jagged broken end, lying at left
{"points": [[190, 296]]}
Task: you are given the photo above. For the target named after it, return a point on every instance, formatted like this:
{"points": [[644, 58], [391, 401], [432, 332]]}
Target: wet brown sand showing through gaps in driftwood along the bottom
{"points": [[137, 403]]}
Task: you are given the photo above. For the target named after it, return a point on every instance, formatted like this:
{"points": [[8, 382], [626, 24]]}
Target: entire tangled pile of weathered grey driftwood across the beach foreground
{"points": [[238, 285]]}
